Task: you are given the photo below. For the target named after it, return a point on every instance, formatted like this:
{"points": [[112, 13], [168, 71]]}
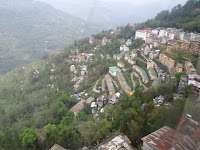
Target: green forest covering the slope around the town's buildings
{"points": [[35, 100]]}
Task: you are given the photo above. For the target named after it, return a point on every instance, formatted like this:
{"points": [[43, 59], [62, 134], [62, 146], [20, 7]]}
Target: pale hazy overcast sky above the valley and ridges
{"points": [[118, 12]]}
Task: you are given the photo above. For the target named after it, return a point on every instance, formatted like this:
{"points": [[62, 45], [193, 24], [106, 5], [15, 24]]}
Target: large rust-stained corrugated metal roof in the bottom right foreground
{"points": [[168, 139]]}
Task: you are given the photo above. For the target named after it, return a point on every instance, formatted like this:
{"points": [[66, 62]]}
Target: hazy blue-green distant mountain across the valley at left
{"points": [[31, 30]]}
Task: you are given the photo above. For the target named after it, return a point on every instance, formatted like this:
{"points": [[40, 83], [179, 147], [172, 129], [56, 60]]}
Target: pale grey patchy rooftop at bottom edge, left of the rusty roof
{"points": [[115, 142]]}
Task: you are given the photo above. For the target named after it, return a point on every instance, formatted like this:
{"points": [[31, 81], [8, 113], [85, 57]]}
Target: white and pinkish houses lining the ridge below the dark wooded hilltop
{"points": [[176, 38]]}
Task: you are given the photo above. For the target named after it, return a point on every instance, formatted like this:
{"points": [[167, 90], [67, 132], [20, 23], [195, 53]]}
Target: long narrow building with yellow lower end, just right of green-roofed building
{"points": [[125, 87]]}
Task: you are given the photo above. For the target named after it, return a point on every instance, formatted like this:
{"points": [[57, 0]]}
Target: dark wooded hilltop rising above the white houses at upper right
{"points": [[186, 17]]}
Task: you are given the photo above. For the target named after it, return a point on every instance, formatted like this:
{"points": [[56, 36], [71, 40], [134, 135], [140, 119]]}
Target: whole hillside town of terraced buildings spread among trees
{"points": [[149, 65]]}
